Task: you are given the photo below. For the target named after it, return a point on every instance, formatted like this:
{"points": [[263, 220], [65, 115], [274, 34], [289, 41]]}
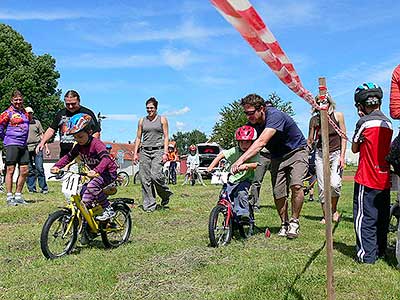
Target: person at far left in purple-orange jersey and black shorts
{"points": [[14, 129]]}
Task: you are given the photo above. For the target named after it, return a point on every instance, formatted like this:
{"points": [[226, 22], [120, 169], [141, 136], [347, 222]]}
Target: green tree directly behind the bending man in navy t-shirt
{"points": [[232, 117]]}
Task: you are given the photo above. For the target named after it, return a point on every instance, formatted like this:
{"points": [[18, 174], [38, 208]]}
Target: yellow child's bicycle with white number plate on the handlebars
{"points": [[61, 229]]}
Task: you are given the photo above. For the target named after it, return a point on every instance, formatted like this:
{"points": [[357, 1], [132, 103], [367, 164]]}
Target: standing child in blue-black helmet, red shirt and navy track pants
{"points": [[371, 199]]}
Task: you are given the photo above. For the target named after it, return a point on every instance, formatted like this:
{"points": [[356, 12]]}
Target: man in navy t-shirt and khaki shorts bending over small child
{"points": [[279, 133]]}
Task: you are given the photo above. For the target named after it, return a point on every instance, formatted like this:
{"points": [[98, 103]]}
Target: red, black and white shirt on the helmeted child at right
{"points": [[374, 133]]}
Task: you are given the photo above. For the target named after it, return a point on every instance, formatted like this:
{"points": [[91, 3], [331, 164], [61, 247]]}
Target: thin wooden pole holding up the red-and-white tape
{"points": [[327, 190]]}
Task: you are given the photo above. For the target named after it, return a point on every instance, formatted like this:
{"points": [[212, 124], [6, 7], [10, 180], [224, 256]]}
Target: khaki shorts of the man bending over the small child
{"points": [[288, 171]]}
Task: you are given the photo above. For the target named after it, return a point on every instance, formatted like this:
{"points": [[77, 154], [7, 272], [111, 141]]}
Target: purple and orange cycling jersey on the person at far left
{"points": [[14, 127]]}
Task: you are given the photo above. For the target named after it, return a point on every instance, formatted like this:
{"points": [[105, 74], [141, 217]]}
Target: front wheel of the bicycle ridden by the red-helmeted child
{"points": [[219, 232]]}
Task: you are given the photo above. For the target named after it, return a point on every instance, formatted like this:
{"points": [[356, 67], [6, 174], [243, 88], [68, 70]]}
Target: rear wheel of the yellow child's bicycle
{"points": [[117, 230]]}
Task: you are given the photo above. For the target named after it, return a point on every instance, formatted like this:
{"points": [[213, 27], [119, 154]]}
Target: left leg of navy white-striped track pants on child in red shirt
{"points": [[365, 216]]}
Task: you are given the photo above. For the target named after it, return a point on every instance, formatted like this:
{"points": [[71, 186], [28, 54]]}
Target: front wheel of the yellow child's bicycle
{"points": [[59, 234]]}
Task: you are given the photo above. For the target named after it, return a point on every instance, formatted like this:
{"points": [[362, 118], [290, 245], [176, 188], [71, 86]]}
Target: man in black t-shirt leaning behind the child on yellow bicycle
{"points": [[60, 121]]}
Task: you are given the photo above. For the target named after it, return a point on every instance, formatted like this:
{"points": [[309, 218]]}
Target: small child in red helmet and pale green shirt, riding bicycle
{"points": [[239, 184]]}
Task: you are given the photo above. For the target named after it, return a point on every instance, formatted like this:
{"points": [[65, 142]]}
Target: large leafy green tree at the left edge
{"points": [[35, 76]]}
